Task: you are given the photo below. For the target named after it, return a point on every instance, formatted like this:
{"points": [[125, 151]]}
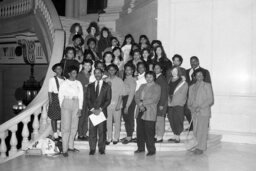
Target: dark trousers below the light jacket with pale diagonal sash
{"points": [[176, 119]]}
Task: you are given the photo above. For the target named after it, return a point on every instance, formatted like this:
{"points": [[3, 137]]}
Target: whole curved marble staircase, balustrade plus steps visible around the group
{"points": [[41, 18]]}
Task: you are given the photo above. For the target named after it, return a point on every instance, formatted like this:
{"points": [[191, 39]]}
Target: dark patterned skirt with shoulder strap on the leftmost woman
{"points": [[54, 111]]}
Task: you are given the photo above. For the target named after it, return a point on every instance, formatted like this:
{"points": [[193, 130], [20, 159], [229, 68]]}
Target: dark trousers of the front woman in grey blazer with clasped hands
{"points": [[145, 134]]}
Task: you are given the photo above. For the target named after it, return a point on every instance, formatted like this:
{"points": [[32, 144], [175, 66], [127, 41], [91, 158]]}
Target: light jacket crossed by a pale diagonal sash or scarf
{"points": [[179, 97]]}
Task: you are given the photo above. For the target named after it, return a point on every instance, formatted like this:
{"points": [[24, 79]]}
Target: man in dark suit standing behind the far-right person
{"points": [[190, 78]]}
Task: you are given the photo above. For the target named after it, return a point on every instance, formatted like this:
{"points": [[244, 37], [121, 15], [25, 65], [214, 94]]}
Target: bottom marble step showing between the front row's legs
{"points": [[213, 141]]}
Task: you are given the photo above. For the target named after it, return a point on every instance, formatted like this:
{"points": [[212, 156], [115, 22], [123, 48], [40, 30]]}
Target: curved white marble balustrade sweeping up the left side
{"points": [[40, 17]]}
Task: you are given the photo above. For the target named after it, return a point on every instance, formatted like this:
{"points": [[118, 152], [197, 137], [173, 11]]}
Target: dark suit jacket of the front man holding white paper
{"points": [[103, 100]]}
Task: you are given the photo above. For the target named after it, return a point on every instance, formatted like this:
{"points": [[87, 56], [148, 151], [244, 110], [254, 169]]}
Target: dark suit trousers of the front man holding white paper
{"points": [[99, 130]]}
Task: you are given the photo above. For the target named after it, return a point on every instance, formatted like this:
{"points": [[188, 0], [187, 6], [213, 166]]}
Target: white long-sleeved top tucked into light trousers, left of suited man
{"points": [[72, 89]]}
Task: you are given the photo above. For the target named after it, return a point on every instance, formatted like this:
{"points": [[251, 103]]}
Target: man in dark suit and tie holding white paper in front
{"points": [[98, 98]]}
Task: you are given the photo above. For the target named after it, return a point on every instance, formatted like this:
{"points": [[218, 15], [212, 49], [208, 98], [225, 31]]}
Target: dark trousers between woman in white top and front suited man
{"points": [[83, 123]]}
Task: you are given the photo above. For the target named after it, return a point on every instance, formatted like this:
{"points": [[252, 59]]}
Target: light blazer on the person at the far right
{"points": [[202, 98]]}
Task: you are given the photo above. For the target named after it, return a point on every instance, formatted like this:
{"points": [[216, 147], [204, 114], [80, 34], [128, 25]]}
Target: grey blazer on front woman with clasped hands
{"points": [[150, 101]]}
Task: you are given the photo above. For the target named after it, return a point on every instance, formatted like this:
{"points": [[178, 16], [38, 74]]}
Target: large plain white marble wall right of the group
{"points": [[222, 34]]}
